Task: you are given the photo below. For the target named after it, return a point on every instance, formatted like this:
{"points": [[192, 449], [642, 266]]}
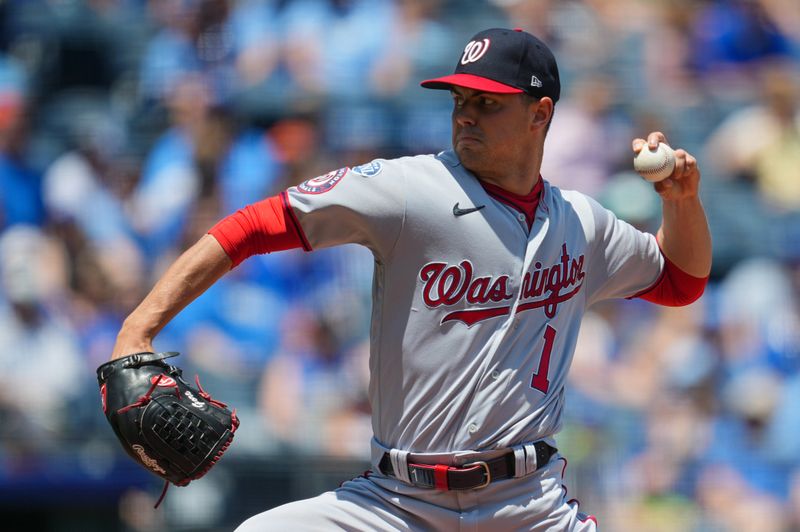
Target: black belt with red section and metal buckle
{"points": [[478, 474]]}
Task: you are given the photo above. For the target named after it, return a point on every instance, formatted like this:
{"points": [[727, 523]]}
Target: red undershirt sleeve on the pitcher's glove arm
{"points": [[263, 227]]}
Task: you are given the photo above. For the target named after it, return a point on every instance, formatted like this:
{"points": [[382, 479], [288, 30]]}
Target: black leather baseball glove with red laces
{"points": [[173, 429]]}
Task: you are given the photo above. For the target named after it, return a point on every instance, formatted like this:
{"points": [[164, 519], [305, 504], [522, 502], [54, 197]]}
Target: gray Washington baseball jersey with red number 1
{"points": [[475, 317]]}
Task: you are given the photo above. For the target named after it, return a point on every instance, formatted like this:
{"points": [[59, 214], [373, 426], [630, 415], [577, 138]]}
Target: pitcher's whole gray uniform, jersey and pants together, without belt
{"points": [[475, 320]]}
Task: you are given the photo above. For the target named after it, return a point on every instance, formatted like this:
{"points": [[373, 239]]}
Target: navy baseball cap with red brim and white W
{"points": [[504, 61]]}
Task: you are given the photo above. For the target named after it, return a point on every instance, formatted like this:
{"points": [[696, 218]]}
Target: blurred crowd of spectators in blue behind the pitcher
{"points": [[129, 127]]}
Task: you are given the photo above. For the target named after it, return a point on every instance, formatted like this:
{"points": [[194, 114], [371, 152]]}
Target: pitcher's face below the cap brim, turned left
{"points": [[492, 133]]}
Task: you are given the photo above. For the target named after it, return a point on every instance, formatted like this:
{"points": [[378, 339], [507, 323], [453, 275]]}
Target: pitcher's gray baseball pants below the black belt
{"points": [[536, 502]]}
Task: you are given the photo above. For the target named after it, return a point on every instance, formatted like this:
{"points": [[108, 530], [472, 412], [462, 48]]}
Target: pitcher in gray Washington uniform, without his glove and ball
{"points": [[483, 271]]}
